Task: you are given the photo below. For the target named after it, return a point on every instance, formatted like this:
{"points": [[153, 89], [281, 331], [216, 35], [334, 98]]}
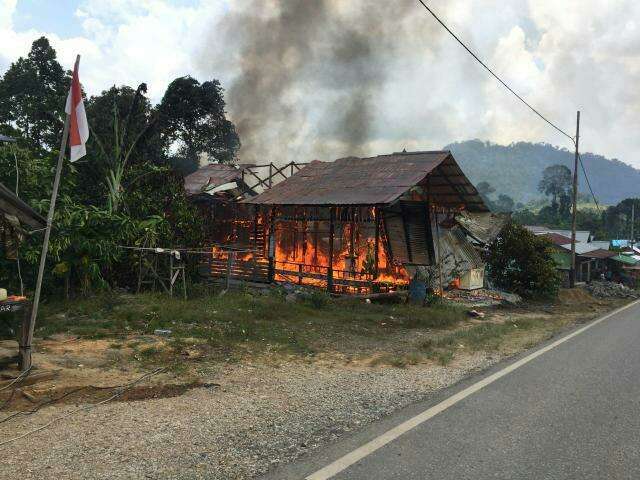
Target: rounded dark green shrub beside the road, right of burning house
{"points": [[521, 262]]}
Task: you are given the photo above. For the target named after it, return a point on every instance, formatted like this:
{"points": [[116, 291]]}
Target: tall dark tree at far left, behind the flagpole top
{"points": [[32, 96]]}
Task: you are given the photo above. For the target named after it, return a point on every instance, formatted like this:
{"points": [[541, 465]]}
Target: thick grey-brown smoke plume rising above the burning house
{"points": [[308, 74]]}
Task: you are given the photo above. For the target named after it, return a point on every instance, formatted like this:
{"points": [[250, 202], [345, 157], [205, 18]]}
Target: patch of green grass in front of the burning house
{"points": [[238, 323]]}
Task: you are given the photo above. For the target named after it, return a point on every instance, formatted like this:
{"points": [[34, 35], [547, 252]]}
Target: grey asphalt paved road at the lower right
{"points": [[571, 413]]}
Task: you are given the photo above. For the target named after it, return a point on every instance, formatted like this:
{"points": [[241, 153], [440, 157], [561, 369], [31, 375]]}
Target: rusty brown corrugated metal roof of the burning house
{"points": [[375, 181]]}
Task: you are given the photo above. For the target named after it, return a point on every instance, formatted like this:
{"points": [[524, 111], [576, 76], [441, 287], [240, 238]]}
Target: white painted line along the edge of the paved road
{"points": [[389, 436]]}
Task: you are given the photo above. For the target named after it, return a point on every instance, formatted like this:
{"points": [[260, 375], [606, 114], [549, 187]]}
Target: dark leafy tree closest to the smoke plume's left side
{"points": [[193, 118]]}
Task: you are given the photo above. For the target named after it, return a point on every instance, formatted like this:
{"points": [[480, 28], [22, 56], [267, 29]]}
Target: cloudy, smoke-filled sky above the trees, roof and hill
{"points": [[323, 79]]}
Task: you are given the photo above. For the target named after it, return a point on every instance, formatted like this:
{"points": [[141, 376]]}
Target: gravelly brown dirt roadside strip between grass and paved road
{"points": [[233, 420]]}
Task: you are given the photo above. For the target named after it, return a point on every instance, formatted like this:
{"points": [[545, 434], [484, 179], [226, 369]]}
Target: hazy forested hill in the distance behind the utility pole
{"points": [[516, 169]]}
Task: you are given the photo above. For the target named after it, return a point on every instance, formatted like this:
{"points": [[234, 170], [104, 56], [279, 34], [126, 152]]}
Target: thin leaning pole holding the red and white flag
{"points": [[26, 340]]}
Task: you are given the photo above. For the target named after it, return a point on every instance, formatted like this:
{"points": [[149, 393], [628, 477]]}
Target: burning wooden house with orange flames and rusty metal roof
{"points": [[364, 224]]}
